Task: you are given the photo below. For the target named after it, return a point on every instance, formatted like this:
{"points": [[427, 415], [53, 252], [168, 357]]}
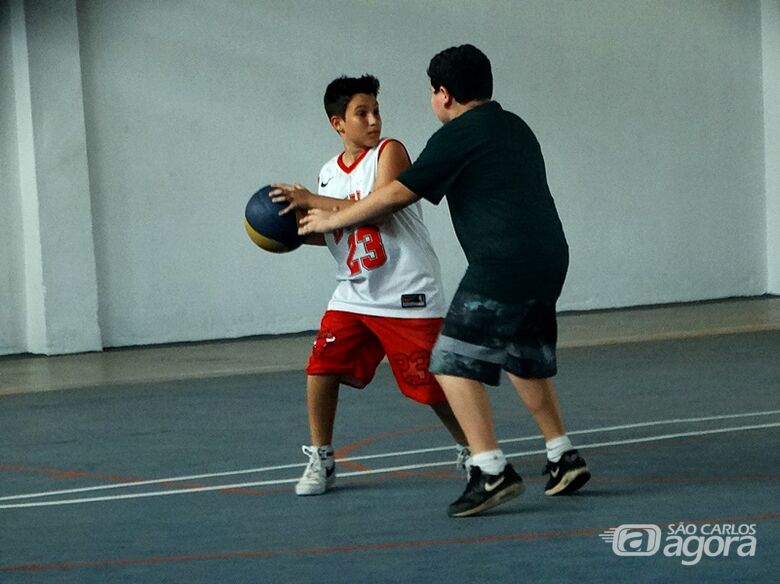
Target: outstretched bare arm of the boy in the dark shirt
{"points": [[385, 200]]}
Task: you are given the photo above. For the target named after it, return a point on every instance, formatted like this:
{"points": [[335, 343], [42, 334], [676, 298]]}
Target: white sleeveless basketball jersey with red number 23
{"points": [[385, 270]]}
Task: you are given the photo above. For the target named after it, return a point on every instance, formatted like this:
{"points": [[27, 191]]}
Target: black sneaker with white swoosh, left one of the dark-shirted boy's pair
{"points": [[484, 491]]}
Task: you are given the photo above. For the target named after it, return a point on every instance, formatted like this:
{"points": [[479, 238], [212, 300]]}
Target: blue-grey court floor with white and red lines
{"points": [[191, 481]]}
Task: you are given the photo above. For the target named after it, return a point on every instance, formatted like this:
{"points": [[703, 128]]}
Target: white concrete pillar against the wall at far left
{"points": [[58, 250]]}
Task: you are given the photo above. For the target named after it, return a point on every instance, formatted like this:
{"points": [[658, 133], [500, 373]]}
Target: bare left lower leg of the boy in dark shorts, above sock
{"points": [[471, 406]]}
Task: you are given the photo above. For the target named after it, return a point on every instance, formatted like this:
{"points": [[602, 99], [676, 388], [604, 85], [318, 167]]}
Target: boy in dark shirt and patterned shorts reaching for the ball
{"points": [[490, 166]]}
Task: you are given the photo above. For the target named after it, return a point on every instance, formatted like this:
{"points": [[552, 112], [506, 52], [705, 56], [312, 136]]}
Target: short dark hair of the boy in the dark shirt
{"points": [[464, 71]]}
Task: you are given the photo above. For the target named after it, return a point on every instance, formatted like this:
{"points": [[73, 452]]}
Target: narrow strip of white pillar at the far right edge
{"points": [[770, 18]]}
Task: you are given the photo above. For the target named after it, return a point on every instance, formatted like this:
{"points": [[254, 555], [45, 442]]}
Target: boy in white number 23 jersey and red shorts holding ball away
{"points": [[388, 300]]}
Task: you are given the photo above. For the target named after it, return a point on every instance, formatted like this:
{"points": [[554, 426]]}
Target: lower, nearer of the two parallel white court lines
{"points": [[376, 470]]}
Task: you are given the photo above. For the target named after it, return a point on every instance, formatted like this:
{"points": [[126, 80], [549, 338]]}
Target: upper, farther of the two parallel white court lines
{"points": [[141, 483]]}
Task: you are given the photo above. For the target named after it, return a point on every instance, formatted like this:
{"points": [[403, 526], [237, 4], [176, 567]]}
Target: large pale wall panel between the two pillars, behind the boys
{"points": [[649, 114]]}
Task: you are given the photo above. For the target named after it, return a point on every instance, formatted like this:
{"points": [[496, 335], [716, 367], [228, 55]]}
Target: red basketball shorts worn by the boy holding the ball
{"points": [[352, 345]]}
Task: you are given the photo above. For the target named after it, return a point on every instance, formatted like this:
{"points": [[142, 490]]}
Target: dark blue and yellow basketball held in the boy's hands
{"points": [[269, 230]]}
